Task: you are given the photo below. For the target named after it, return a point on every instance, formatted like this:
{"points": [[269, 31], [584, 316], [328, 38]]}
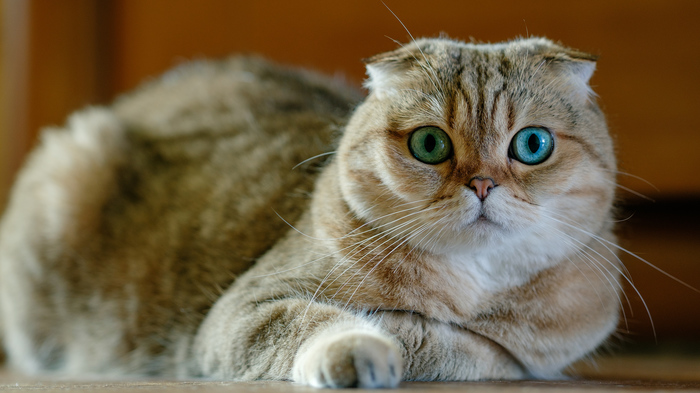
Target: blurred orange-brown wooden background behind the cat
{"points": [[59, 56]]}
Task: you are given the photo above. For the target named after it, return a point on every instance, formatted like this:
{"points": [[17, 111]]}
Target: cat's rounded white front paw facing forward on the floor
{"points": [[355, 358]]}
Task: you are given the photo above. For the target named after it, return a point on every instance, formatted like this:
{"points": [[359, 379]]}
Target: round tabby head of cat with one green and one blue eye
{"points": [[465, 146]]}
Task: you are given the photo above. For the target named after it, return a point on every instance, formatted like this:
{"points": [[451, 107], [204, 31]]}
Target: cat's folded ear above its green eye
{"points": [[386, 71]]}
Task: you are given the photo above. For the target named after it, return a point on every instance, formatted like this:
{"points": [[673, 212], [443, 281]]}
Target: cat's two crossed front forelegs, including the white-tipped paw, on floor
{"points": [[326, 346]]}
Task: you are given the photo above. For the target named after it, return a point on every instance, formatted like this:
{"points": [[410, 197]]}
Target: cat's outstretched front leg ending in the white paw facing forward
{"points": [[295, 339]]}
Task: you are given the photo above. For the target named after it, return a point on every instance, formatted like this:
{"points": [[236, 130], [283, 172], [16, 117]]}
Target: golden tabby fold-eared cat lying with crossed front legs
{"points": [[241, 220]]}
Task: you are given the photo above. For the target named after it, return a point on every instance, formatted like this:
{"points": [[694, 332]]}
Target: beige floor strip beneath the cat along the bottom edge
{"points": [[655, 372]]}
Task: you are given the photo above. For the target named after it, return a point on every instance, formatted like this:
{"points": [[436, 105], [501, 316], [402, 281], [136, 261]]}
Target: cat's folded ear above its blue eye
{"points": [[576, 68]]}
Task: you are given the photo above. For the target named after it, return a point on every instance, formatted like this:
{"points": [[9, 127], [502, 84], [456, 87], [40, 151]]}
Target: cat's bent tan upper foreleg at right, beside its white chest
{"points": [[561, 315]]}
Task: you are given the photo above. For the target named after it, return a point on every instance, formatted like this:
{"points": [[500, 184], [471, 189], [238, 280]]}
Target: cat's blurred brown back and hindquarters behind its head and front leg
{"points": [[147, 205]]}
